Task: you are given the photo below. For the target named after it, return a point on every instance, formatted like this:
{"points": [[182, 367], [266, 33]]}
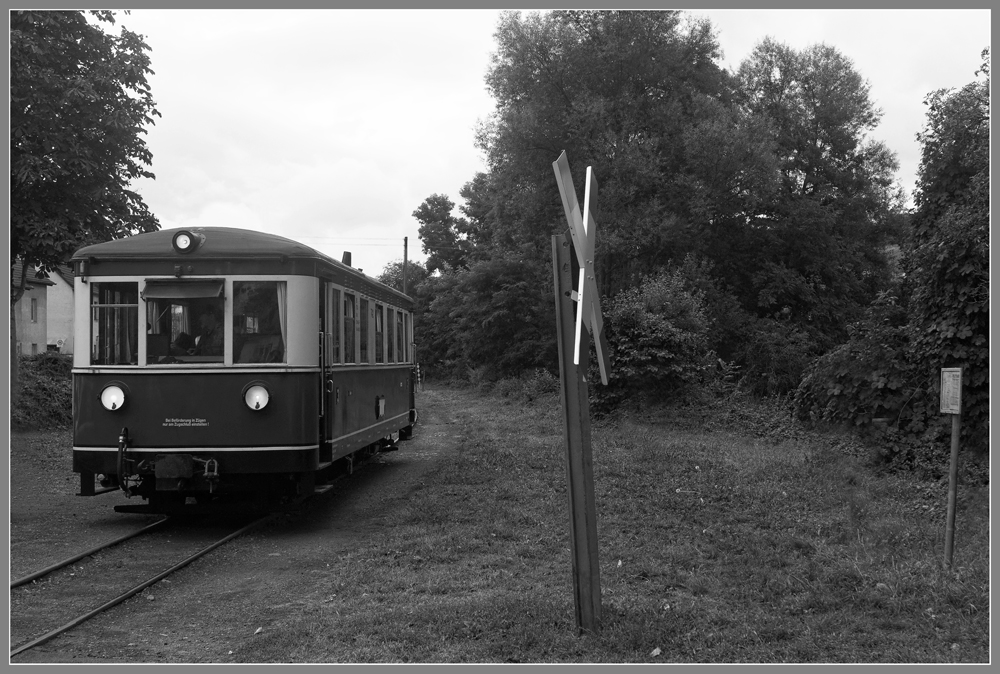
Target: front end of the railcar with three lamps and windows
{"points": [[197, 369]]}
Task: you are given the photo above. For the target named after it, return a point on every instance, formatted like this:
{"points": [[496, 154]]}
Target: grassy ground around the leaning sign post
{"points": [[716, 545]]}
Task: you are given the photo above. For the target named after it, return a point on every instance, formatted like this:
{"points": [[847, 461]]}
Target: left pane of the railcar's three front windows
{"points": [[114, 336]]}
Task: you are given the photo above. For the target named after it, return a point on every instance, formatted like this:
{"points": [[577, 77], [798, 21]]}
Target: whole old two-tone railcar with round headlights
{"points": [[220, 364]]}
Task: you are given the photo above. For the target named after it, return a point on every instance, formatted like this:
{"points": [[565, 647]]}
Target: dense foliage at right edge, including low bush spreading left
{"points": [[890, 366]]}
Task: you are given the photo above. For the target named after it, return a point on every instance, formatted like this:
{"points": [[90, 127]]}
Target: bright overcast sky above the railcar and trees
{"points": [[332, 126]]}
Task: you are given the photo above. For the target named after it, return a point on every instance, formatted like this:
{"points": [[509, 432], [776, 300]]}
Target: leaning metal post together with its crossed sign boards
{"points": [[573, 361]]}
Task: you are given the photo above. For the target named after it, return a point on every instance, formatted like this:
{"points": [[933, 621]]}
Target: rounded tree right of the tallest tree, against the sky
{"points": [[819, 241]]}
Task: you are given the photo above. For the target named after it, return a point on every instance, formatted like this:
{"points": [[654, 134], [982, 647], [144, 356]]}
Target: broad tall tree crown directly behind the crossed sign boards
{"points": [[616, 90]]}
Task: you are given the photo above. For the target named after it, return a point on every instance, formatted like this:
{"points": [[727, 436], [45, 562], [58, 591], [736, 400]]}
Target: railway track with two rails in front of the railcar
{"points": [[200, 550]]}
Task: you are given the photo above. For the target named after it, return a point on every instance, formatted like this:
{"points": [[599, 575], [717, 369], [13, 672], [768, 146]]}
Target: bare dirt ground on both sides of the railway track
{"points": [[215, 605]]}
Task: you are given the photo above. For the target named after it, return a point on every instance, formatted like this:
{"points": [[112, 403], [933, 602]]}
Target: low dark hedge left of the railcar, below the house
{"points": [[47, 397]]}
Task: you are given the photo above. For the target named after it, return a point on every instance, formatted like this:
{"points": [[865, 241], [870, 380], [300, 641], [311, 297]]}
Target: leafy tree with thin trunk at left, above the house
{"points": [[79, 102]]}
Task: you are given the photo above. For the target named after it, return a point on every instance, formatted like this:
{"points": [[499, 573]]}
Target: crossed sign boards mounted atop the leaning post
{"points": [[583, 230]]}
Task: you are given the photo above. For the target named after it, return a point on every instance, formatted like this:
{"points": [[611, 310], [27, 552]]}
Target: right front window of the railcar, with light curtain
{"points": [[260, 324]]}
